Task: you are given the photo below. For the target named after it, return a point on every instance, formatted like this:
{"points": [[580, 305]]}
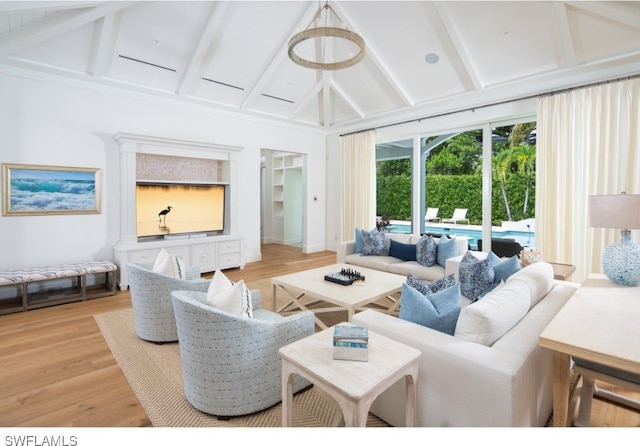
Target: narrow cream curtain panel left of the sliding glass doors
{"points": [[358, 187]]}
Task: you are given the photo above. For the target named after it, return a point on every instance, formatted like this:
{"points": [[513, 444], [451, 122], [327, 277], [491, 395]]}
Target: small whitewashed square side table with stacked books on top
{"points": [[353, 384]]}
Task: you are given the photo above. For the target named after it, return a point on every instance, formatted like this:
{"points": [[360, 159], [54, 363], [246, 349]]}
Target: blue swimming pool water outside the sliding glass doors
{"points": [[525, 238]]}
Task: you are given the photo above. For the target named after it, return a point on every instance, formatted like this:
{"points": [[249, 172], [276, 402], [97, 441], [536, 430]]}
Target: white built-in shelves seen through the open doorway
{"points": [[287, 198]]}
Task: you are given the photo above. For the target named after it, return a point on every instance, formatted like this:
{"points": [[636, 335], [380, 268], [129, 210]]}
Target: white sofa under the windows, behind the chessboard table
{"points": [[346, 254]]}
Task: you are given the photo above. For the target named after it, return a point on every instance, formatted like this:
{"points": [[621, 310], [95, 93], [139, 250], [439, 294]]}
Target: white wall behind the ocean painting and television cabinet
{"points": [[54, 122]]}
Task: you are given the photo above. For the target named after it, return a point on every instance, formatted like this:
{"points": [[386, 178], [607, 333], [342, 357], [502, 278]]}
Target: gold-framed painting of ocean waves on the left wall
{"points": [[50, 190]]}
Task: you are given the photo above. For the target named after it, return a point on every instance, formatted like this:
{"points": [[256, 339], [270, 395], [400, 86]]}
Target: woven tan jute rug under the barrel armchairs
{"points": [[155, 376]]}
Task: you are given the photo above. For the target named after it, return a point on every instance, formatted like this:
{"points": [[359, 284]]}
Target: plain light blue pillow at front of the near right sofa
{"points": [[438, 311]]}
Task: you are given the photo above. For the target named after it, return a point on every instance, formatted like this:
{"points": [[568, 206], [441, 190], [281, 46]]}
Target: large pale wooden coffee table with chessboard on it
{"points": [[311, 283]]}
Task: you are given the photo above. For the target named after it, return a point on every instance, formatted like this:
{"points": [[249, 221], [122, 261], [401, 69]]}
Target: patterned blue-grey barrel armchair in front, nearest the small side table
{"points": [[230, 363]]}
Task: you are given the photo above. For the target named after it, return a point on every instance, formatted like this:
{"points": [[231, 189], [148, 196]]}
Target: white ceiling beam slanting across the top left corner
{"points": [[55, 25]]}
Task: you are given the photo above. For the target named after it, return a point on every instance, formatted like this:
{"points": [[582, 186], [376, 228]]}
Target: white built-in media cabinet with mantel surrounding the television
{"points": [[212, 252]]}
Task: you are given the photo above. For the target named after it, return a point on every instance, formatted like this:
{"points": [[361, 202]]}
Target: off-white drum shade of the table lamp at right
{"points": [[620, 211]]}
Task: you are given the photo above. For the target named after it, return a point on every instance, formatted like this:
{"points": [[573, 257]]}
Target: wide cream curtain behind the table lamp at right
{"points": [[588, 144]]}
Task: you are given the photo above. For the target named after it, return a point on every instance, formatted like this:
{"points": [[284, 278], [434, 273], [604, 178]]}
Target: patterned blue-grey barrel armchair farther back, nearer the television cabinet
{"points": [[151, 300]]}
